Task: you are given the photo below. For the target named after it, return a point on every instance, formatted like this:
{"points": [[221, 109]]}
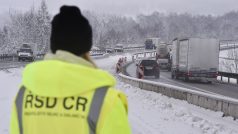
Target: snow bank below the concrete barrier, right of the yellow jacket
{"points": [[152, 113]]}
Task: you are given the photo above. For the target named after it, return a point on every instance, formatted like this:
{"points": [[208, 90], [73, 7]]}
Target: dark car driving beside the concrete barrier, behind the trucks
{"points": [[147, 67]]}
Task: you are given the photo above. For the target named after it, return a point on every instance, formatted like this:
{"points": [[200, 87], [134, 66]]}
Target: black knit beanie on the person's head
{"points": [[71, 31]]}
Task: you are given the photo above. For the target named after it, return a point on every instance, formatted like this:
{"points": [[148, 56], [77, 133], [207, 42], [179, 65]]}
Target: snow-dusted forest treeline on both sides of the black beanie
{"points": [[34, 27]]}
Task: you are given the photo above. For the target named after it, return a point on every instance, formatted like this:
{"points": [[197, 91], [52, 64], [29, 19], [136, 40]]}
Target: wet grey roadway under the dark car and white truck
{"points": [[225, 89]]}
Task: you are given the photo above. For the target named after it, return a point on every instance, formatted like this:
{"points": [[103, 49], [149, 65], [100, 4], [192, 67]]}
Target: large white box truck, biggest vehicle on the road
{"points": [[195, 59]]}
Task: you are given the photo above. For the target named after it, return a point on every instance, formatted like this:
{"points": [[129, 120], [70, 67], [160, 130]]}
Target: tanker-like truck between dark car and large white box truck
{"points": [[163, 56]]}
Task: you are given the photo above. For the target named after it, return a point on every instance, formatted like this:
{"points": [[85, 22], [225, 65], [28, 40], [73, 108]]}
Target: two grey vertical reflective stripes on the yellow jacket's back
{"points": [[94, 111]]}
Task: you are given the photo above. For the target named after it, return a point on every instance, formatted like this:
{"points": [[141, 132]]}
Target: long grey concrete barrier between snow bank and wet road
{"points": [[228, 106]]}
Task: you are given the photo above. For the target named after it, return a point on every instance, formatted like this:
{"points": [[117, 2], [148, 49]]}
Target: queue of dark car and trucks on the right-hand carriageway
{"points": [[187, 59]]}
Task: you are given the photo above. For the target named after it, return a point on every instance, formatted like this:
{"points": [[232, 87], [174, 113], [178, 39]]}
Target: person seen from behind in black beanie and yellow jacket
{"points": [[66, 93]]}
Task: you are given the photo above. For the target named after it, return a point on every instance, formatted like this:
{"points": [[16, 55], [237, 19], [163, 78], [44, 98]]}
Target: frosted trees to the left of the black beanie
{"points": [[31, 27]]}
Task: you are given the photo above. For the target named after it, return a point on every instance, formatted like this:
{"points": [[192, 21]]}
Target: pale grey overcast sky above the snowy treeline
{"points": [[130, 7]]}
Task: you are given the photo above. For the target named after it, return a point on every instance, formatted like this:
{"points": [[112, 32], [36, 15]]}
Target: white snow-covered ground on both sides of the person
{"points": [[149, 112]]}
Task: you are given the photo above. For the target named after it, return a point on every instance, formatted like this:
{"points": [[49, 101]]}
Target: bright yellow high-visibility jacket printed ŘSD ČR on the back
{"points": [[62, 98]]}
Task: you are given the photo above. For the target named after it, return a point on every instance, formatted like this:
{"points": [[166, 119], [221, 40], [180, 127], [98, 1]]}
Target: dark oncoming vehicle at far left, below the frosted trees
{"points": [[25, 53]]}
